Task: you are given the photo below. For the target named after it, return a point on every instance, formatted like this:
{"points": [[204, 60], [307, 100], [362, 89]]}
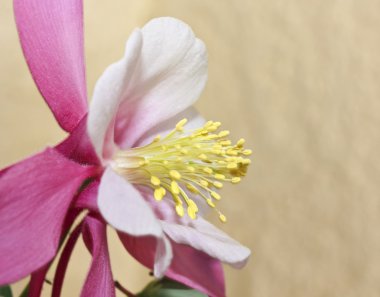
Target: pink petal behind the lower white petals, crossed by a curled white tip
{"points": [[189, 266]]}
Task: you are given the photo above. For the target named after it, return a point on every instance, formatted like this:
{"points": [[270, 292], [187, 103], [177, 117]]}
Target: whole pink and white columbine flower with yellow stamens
{"points": [[142, 160]]}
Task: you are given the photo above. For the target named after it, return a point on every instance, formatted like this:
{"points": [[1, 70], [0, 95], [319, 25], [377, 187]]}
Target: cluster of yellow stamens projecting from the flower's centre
{"points": [[185, 164]]}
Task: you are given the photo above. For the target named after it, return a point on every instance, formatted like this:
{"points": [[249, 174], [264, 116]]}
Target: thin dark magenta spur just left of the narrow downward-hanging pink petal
{"points": [[64, 261]]}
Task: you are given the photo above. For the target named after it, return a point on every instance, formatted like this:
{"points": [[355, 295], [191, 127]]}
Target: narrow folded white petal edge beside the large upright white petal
{"points": [[108, 94]]}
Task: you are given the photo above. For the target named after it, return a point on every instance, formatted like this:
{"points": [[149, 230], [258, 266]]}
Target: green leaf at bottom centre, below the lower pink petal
{"points": [[168, 288]]}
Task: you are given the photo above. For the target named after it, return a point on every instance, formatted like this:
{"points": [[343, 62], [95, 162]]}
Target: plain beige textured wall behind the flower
{"points": [[300, 80]]}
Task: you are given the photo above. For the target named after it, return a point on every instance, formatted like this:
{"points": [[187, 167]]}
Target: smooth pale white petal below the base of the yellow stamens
{"points": [[123, 207]]}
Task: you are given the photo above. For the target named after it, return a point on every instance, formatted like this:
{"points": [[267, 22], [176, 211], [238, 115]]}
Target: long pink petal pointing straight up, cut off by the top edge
{"points": [[51, 35]]}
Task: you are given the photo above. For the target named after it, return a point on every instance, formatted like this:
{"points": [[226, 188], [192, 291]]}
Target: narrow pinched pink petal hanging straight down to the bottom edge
{"points": [[99, 281]]}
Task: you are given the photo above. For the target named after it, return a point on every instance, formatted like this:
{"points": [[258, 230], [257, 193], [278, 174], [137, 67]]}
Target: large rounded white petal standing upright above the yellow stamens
{"points": [[170, 76]]}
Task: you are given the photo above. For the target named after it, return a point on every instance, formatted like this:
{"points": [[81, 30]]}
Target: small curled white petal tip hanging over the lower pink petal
{"points": [[163, 257]]}
